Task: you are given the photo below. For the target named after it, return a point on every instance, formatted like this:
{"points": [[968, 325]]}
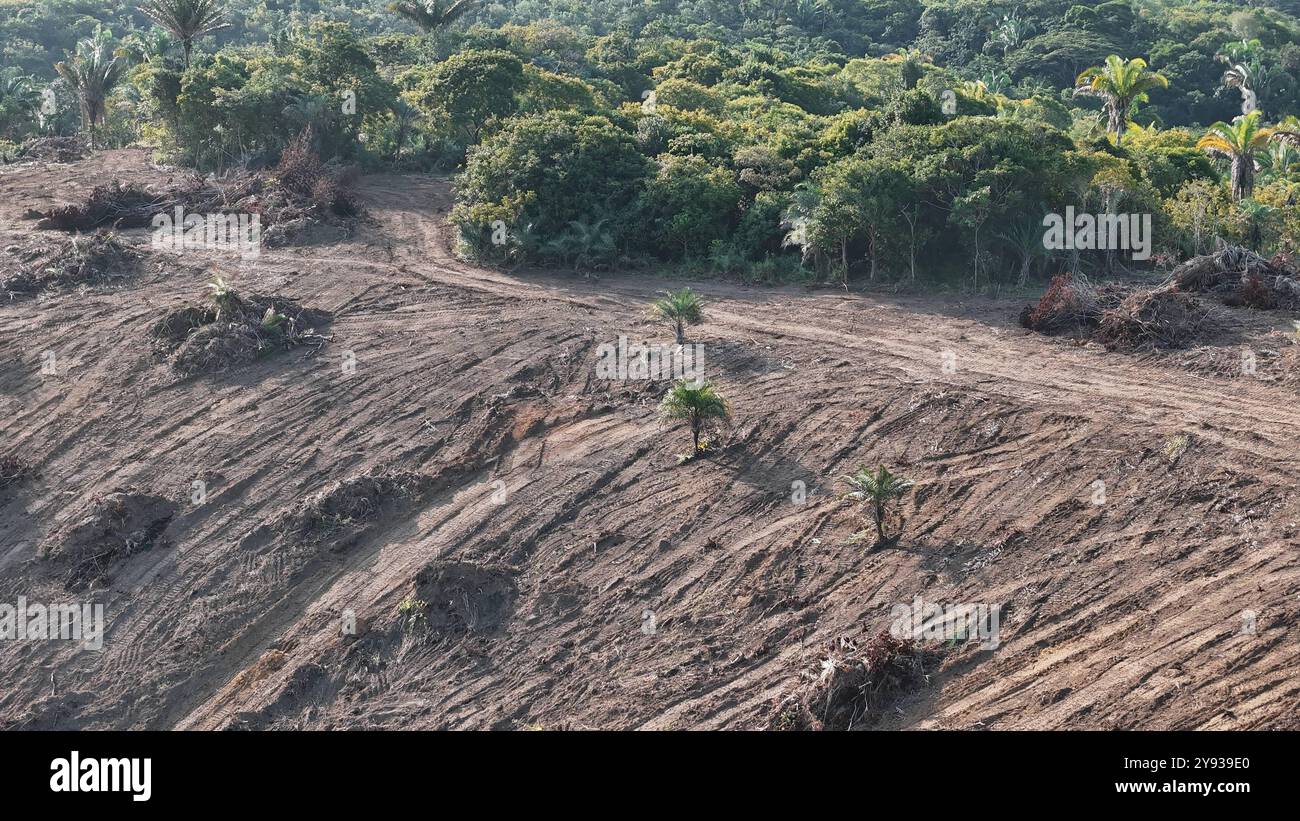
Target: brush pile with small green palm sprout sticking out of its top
{"points": [[235, 331]]}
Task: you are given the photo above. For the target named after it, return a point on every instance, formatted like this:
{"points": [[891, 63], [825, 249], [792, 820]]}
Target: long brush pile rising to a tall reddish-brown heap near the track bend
{"points": [[298, 194]]}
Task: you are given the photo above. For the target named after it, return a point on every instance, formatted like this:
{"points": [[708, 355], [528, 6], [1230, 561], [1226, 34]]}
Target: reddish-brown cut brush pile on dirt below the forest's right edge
{"points": [[1116, 316]]}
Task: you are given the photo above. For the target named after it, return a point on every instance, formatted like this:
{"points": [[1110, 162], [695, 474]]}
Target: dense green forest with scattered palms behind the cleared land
{"points": [[773, 141]]}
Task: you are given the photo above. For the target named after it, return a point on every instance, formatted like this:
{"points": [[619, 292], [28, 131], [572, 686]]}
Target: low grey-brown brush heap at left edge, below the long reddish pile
{"points": [[80, 260]]}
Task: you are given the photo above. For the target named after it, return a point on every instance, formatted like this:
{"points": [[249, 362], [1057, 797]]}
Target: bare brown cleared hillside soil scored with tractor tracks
{"points": [[545, 511]]}
